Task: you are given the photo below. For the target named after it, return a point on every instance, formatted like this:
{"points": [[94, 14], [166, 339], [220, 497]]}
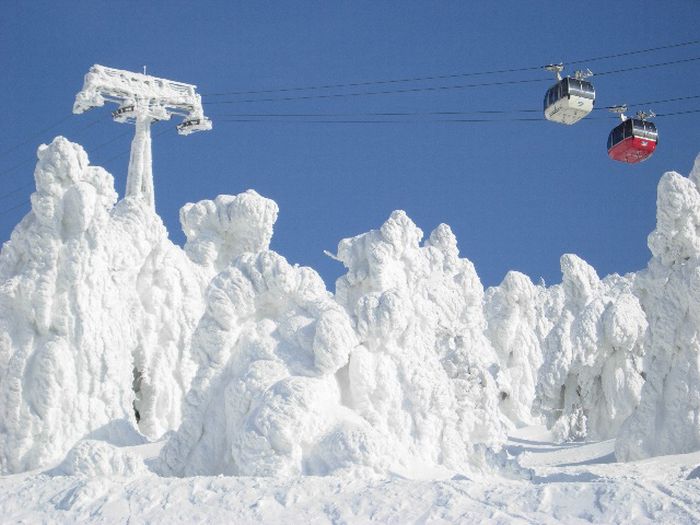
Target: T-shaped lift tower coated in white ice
{"points": [[142, 100]]}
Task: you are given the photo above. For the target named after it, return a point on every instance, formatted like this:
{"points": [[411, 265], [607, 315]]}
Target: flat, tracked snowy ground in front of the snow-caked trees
{"points": [[573, 483]]}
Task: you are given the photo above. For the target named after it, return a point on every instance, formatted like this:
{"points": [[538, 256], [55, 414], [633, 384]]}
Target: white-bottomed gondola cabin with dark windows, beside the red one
{"points": [[571, 98]]}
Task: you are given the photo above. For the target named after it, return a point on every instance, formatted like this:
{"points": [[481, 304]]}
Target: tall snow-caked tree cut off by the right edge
{"points": [[667, 420]]}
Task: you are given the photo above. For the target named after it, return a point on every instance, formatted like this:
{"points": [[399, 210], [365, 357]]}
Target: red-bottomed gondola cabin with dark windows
{"points": [[634, 139]]}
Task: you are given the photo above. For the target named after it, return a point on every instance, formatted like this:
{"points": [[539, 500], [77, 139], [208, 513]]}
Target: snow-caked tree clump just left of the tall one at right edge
{"points": [[591, 378]]}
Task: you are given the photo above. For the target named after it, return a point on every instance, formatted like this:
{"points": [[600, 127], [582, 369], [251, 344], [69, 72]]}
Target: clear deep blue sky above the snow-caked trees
{"points": [[517, 194]]}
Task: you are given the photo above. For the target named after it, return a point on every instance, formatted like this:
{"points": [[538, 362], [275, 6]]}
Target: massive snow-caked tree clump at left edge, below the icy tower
{"points": [[94, 301]]}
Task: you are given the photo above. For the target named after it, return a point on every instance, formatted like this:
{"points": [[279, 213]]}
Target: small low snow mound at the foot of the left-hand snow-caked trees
{"points": [[91, 458]]}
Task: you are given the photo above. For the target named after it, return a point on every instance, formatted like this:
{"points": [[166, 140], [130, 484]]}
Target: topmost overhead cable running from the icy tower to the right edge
{"points": [[449, 76]]}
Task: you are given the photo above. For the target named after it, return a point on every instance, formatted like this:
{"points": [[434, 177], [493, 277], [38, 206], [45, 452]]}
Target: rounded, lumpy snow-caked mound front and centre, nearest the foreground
{"points": [[266, 401]]}
